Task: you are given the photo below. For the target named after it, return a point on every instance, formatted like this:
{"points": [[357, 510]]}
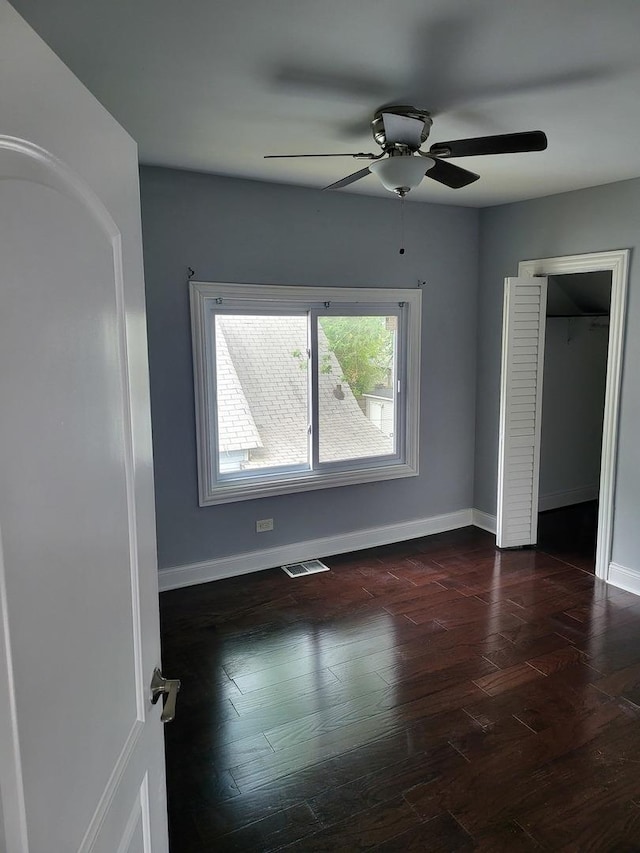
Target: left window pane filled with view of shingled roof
{"points": [[262, 392]]}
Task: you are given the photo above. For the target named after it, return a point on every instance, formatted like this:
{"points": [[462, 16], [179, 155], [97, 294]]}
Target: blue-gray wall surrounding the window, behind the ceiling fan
{"points": [[244, 231]]}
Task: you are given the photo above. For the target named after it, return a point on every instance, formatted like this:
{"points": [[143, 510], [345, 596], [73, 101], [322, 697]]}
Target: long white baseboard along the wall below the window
{"points": [[254, 561]]}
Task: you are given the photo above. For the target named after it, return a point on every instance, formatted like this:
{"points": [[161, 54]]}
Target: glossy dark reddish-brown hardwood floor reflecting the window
{"points": [[437, 695]]}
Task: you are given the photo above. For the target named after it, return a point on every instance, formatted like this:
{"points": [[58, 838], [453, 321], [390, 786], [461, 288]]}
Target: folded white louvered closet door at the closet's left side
{"points": [[525, 304]]}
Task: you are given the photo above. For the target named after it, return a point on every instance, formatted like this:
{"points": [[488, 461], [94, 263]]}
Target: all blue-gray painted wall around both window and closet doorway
{"points": [[244, 231]]}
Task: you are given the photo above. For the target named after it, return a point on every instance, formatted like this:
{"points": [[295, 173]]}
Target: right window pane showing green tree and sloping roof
{"points": [[357, 381]]}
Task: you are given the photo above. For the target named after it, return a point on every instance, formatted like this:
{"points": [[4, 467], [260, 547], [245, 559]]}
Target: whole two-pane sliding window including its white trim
{"points": [[303, 388]]}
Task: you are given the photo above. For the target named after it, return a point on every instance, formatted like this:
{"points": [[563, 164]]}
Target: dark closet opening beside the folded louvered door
{"points": [[573, 404]]}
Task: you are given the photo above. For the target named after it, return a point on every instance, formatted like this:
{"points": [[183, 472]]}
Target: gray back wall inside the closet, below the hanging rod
{"points": [[575, 370]]}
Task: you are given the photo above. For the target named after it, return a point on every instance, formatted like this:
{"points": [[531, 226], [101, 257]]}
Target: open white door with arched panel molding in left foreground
{"points": [[81, 750]]}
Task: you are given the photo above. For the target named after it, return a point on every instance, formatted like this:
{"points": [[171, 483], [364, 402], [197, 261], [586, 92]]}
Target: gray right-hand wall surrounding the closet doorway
{"points": [[592, 220]]}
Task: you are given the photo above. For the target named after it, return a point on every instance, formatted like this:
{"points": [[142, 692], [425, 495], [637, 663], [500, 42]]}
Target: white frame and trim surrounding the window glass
{"points": [[207, 297]]}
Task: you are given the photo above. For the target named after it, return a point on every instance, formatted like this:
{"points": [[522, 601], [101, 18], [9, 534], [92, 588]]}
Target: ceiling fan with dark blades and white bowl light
{"points": [[400, 132]]}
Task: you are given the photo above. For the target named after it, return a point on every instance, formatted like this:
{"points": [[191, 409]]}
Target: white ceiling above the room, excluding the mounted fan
{"points": [[212, 86]]}
